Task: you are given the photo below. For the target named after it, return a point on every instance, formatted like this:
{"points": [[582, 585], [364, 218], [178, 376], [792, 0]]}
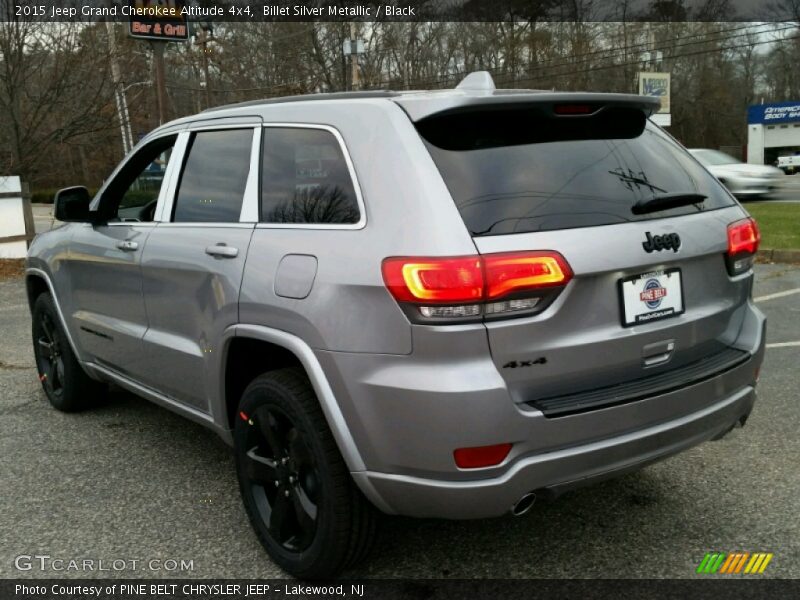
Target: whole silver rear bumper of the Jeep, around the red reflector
{"points": [[408, 414]]}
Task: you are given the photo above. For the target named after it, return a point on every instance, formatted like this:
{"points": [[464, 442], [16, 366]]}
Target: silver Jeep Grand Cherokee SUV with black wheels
{"points": [[436, 304]]}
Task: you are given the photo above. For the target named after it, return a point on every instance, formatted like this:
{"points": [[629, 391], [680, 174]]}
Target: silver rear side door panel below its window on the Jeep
{"points": [[191, 297]]}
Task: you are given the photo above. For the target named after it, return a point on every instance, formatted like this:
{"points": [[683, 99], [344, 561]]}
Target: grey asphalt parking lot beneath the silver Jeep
{"points": [[133, 482]]}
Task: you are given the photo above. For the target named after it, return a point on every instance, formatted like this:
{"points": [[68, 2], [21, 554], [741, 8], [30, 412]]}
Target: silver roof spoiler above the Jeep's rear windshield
{"points": [[571, 104]]}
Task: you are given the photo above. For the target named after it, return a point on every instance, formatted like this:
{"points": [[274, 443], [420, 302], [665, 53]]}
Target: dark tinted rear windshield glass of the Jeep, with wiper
{"points": [[523, 170]]}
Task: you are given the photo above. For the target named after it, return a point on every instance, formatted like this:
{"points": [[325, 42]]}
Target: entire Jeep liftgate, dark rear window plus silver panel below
{"points": [[643, 228]]}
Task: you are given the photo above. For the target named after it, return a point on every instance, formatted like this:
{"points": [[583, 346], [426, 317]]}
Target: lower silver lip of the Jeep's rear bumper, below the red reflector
{"points": [[555, 472]]}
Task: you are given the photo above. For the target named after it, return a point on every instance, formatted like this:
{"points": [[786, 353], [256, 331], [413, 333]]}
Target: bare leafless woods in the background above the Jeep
{"points": [[59, 123]]}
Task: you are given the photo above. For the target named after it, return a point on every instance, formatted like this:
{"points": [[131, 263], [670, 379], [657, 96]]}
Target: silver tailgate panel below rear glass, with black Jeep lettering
{"points": [[582, 342]]}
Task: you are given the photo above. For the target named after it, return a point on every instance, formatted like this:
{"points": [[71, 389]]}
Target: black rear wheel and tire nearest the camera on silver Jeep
{"points": [[290, 470]]}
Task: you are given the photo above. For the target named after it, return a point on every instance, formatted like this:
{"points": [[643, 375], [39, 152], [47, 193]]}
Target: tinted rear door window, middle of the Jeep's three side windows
{"points": [[212, 185]]}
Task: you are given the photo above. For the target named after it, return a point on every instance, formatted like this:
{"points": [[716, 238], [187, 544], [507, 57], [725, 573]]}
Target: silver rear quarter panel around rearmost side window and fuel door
{"points": [[408, 211]]}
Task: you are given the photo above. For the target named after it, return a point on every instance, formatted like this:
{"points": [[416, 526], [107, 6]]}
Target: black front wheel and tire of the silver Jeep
{"points": [[68, 387]]}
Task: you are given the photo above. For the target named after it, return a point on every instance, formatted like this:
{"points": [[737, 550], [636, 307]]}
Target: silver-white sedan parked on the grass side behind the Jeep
{"points": [[744, 180]]}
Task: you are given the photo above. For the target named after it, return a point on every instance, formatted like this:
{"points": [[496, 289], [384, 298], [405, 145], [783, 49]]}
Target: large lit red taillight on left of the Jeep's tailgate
{"points": [[471, 287]]}
